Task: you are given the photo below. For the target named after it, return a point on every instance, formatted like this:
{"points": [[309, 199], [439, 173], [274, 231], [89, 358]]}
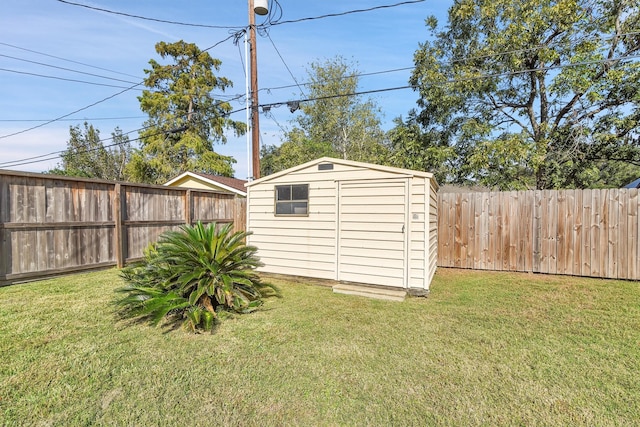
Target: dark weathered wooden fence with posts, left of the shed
{"points": [[51, 225]]}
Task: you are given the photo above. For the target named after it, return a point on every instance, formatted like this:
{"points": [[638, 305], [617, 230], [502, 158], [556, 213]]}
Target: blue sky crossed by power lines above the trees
{"points": [[36, 36]]}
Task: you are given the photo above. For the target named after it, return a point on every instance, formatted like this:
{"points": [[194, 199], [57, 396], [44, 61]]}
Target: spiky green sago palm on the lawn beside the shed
{"points": [[196, 275]]}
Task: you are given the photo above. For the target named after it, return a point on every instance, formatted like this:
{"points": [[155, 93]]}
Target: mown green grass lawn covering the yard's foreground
{"points": [[483, 349]]}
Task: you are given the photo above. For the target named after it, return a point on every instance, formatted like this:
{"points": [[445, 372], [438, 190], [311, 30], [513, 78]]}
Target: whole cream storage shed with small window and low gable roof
{"points": [[346, 221]]}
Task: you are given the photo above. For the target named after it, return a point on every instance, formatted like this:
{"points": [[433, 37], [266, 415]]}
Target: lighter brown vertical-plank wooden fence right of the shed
{"points": [[575, 232]]}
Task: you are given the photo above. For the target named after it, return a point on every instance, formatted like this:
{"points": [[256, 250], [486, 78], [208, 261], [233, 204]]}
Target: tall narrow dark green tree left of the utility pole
{"points": [[185, 120]]}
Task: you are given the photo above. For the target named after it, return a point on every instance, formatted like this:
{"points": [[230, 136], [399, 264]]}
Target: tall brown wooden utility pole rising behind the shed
{"points": [[255, 116]]}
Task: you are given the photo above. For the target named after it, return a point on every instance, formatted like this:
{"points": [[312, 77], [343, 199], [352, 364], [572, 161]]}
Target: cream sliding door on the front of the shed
{"points": [[371, 232]]}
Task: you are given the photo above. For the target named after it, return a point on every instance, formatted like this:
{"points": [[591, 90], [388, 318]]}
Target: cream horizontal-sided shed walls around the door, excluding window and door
{"points": [[307, 246]]}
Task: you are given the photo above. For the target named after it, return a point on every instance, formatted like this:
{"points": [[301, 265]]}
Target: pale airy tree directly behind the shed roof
{"points": [[336, 122]]}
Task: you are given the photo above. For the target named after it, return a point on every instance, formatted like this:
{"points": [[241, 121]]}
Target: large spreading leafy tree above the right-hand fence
{"points": [[531, 93]]}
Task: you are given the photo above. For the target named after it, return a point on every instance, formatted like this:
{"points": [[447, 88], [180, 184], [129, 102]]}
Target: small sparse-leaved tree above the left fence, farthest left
{"points": [[87, 156]]}
